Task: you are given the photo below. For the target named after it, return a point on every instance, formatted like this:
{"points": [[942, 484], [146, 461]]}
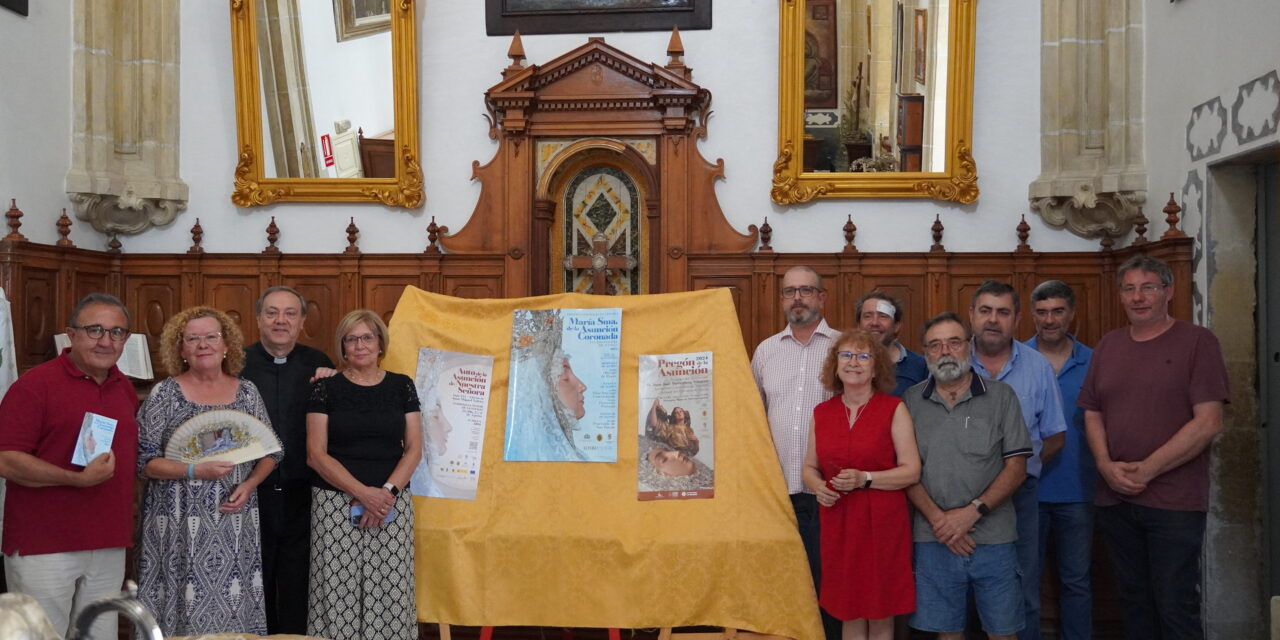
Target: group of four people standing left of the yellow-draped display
{"points": [[314, 540]]}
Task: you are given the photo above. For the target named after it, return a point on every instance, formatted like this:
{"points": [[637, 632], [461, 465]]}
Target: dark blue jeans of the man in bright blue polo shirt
{"points": [[1071, 524]]}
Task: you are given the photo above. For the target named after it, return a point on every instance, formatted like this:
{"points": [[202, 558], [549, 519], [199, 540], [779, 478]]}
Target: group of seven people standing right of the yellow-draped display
{"points": [[932, 486]]}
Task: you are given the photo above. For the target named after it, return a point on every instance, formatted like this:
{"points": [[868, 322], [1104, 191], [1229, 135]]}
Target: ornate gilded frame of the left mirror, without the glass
{"points": [[254, 189]]}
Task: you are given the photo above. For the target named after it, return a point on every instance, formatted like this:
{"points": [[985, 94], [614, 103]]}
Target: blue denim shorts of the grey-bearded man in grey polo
{"points": [[944, 580]]}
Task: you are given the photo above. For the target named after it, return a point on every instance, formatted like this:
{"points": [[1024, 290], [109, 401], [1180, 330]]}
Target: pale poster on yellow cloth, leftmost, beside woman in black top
{"points": [[454, 390]]}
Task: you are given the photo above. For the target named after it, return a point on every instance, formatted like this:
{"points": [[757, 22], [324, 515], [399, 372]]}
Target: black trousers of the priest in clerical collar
{"points": [[286, 525]]}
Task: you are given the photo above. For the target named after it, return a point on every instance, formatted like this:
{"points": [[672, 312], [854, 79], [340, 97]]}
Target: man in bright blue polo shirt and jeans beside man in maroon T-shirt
{"points": [[1067, 482]]}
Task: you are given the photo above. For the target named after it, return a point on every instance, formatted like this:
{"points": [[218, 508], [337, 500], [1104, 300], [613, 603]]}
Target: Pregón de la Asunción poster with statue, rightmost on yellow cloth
{"points": [[676, 452]]}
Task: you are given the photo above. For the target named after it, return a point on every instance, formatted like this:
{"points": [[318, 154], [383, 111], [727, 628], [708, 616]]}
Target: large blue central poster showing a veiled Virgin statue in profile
{"points": [[563, 399]]}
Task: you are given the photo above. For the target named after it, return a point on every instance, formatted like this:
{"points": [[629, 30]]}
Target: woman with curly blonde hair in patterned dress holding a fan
{"points": [[200, 565]]}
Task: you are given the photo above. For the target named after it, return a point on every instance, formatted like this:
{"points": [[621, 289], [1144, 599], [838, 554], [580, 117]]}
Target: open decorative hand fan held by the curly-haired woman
{"points": [[222, 436]]}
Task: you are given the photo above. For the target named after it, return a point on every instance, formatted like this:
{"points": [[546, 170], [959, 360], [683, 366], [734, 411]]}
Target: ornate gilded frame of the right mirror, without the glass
{"points": [[957, 182]]}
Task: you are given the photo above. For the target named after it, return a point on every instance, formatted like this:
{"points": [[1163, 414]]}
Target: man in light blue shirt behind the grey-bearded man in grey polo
{"points": [[994, 313]]}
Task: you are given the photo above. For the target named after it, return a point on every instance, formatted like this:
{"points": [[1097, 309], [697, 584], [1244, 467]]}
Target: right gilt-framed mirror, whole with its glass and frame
{"points": [[876, 100]]}
